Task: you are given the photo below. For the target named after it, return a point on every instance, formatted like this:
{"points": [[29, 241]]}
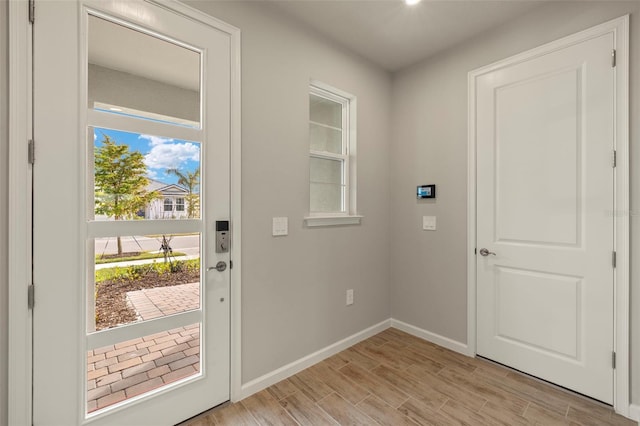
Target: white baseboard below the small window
{"points": [[289, 370]]}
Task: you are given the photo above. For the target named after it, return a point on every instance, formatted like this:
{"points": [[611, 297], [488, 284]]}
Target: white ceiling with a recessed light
{"points": [[394, 35]]}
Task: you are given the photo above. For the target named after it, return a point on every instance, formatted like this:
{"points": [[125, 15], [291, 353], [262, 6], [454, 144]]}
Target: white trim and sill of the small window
{"points": [[350, 216]]}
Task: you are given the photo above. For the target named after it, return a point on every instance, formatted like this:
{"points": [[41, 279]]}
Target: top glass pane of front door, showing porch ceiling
{"points": [[132, 73]]}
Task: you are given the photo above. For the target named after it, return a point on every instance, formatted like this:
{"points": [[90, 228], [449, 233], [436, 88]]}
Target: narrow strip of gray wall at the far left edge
{"points": [[4, 177]]}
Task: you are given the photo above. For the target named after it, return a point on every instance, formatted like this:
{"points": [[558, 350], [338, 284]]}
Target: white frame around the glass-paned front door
{"points": [[19, 206]]}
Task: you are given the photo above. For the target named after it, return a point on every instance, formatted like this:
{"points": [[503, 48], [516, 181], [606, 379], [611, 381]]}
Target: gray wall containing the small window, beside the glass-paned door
{"points": [[293, 287]]}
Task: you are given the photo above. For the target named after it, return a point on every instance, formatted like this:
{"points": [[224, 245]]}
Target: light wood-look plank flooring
{"points": [[394, 378]]}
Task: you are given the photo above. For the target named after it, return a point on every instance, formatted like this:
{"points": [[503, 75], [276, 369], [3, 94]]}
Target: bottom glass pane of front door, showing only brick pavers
{"points": [[127, 369]]}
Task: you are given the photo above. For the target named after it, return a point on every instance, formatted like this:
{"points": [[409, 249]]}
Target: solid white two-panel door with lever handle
{"points": [[545, 228]]}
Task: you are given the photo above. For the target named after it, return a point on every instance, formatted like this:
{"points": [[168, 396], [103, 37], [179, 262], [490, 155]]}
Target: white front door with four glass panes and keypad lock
{"points": [[131, 183]]}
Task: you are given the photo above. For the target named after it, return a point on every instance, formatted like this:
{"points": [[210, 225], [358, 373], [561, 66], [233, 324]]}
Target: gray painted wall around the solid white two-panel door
{"points": [[429, 133]]}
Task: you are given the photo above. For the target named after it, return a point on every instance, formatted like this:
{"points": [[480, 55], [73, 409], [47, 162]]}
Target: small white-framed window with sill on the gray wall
{"points": [[331, 154]]}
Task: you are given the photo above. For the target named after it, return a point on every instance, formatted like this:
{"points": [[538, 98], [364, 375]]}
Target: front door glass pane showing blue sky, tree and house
{"points": [[139, 176]]}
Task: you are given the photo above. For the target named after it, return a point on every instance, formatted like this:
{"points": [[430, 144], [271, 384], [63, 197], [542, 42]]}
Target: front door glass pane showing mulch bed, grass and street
{"points": [[139, 278]]}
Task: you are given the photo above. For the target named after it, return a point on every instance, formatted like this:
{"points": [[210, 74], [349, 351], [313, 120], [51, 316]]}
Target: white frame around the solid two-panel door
{"points": [[620, 29]]}
